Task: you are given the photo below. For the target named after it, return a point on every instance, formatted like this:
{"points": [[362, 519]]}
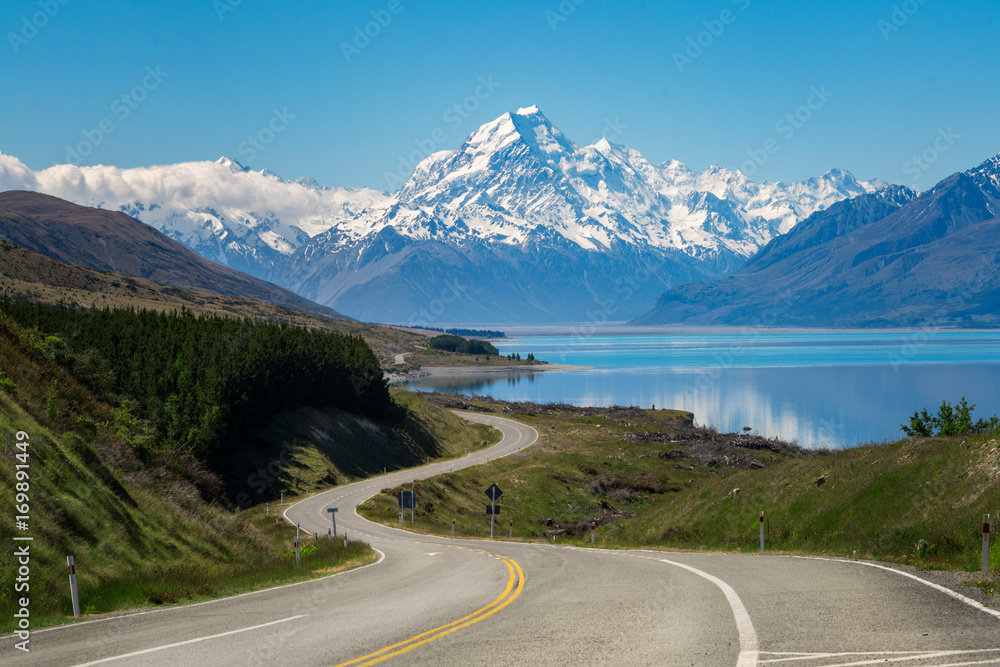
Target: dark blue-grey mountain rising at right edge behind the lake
{"points": [[889, 258]]}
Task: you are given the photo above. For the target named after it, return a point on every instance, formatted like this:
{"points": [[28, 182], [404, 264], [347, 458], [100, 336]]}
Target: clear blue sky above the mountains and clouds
{"points": [[784, 90]]}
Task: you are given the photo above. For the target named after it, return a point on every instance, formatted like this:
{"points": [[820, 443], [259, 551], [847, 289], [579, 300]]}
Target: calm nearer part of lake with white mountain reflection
{"points": [[817, 406]]}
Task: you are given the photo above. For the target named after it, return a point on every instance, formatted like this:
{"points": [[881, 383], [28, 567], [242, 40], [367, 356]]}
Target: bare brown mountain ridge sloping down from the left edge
{"points": [[112, 241]]}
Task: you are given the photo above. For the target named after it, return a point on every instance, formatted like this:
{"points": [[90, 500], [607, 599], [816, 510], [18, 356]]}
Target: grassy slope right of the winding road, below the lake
{"points": [[919, 501]]}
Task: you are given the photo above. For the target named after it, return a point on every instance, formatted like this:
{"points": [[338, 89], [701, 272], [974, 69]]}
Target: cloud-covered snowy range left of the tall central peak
{"points": [[222, 210]]}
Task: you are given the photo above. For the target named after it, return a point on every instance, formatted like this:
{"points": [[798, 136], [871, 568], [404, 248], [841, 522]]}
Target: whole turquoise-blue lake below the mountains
{"points": [[819, 389]]}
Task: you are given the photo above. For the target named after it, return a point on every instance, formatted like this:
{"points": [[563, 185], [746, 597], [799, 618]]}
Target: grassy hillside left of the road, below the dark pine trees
{"points": [[139, 529]]}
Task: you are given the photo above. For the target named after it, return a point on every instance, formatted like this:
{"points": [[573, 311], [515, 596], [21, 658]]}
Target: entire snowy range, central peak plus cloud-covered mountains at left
{"points": [[519, 224]]}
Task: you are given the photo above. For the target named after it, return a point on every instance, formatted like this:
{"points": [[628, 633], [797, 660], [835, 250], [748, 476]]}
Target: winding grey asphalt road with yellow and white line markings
{"points": [[434, 601]]}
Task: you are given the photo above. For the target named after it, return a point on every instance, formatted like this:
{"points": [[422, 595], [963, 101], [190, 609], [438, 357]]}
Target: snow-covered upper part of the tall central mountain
{"points": [[519, 172]]}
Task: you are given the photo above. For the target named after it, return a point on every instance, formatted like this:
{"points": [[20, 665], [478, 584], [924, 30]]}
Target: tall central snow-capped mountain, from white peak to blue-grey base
{"points": [[520, 224]]}
